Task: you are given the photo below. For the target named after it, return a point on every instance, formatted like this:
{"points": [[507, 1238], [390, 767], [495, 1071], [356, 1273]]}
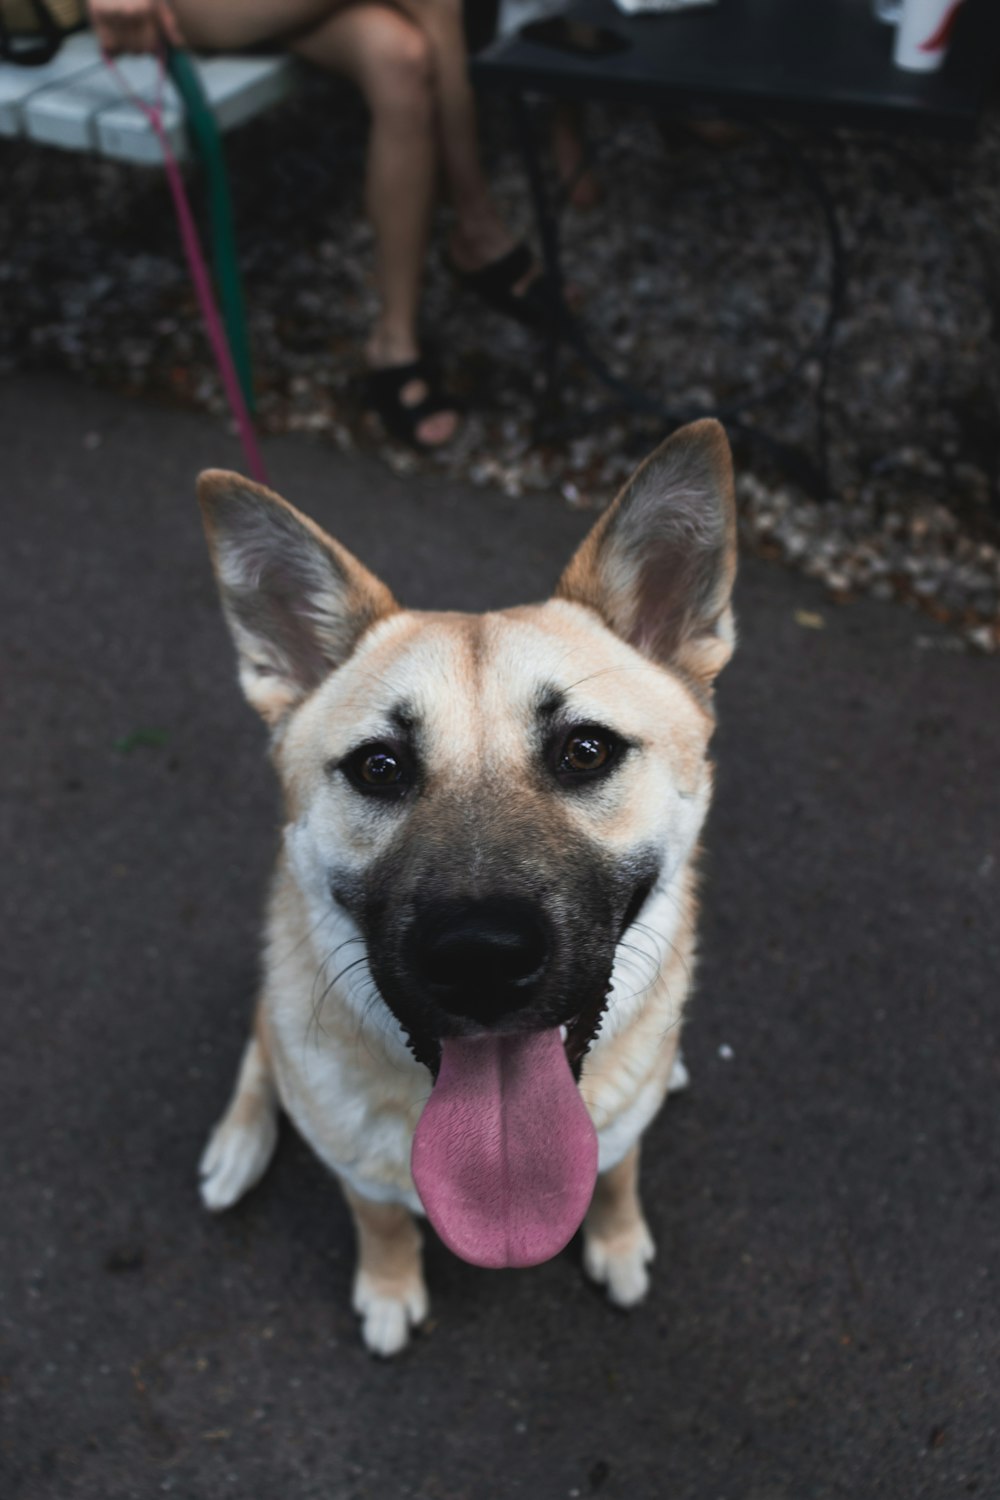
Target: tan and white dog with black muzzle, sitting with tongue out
{"points": [[481, 934]]}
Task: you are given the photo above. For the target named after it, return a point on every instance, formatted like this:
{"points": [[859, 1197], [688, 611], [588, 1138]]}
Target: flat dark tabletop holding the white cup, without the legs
{"points": [[825, 62]]}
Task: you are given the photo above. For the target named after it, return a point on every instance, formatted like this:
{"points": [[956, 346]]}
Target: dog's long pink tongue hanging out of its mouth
{"points": [[506, 1154]]}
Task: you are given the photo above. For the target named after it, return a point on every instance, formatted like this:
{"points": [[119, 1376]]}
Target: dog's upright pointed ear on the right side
{"points": [[660, 563]]}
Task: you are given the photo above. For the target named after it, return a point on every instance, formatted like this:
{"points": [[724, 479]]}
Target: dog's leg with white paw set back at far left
{"points": [[244, 1142]]}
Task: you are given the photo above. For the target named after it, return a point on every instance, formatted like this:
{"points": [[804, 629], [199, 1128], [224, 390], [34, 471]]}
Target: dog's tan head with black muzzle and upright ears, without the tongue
{"points": [[491, 799]]}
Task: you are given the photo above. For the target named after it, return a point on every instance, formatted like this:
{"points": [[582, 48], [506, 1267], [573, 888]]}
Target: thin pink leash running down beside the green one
{"points": [[197, 266]]}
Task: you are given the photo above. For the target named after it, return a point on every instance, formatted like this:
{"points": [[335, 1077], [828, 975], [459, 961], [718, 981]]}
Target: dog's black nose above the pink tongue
{"points": [[481, 959]]}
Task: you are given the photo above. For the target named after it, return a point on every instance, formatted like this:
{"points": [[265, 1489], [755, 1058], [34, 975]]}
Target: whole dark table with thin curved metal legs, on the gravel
{"points": [[803, 62]]}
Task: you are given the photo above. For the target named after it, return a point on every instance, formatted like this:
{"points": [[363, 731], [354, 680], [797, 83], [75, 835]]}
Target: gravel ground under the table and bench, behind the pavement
{"points": [[701, 274]]}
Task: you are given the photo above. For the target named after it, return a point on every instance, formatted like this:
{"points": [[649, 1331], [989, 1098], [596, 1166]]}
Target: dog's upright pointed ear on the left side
{"points": [[295, 599]]}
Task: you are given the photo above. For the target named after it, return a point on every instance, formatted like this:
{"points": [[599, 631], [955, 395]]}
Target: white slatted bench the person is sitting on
{"points": [[77, 104]]}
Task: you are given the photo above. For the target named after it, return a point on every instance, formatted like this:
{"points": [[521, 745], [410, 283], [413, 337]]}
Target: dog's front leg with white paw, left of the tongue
{"points": [[389, 1285]]}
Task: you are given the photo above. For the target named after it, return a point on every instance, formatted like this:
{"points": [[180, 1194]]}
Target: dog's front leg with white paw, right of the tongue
{"points": [[617, 1241]]}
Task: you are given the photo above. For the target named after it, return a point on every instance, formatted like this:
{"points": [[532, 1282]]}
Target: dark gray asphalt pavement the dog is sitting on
{"points": [[825, 1318]]}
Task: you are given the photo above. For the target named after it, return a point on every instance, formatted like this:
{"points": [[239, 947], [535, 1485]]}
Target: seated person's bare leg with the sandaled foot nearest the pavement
{"points": [[389, 59]]}
